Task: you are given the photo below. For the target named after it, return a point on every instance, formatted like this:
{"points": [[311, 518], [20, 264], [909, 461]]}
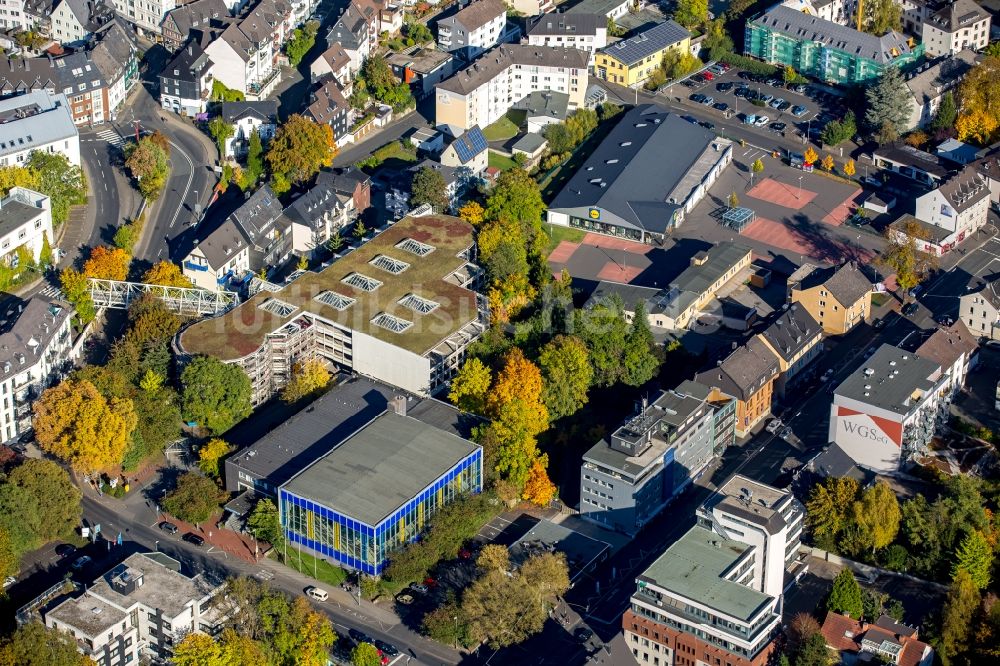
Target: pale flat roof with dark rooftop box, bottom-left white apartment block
{"points": [[162, 588]]}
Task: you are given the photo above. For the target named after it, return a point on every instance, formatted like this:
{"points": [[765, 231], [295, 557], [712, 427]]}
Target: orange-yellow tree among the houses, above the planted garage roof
{"points": [[299, 149]]}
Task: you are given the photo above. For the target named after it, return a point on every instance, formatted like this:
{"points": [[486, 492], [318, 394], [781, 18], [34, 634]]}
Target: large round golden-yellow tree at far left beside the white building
{"points": [[75, 423]]}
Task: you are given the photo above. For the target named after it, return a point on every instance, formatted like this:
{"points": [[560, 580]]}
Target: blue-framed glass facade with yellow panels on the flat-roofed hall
{"points": [[366, 547]]}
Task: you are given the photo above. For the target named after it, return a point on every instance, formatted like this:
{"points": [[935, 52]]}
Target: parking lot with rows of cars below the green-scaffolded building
{"points": [[788, 111]]}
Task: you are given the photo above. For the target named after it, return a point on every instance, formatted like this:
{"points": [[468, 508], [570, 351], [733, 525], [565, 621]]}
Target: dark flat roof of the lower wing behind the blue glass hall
{"points": [[312, 433]]}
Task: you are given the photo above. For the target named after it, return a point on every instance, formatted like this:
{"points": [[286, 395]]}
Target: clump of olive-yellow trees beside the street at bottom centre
{"points": [[502, 606]]}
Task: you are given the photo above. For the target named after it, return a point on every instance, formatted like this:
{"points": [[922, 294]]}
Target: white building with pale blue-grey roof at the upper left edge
{"points": [[38, 120]]}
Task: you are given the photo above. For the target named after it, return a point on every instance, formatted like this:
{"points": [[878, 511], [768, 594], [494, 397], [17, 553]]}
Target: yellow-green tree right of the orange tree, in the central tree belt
{"points": [[567, 375]]}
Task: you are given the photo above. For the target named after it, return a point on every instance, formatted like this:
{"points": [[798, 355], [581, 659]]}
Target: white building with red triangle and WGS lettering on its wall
{"points": [[888, 409]]}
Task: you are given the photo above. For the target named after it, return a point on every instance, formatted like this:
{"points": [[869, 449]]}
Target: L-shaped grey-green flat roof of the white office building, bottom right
{"points": [[694, 567]]}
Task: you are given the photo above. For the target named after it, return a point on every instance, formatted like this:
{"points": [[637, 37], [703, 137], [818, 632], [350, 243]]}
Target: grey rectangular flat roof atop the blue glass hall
{"points": [[381, 467]]}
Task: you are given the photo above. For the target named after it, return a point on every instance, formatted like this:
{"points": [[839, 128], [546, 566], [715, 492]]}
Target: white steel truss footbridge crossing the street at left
{"points": [[188, 301]]}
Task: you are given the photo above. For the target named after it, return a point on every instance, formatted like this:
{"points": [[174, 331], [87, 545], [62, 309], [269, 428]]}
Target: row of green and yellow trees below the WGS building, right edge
{"points": [[940, 539]]}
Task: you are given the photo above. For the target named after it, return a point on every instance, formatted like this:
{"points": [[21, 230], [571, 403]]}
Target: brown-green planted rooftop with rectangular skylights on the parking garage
{"points": [[401, 287]]}
